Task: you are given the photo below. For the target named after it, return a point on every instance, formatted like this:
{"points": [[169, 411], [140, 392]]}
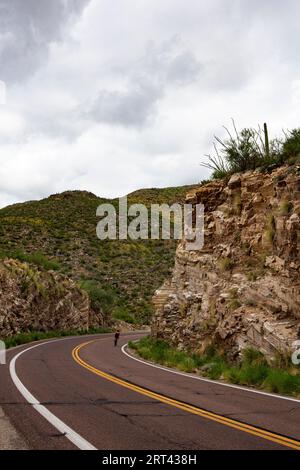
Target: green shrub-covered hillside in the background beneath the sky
{"points": [[58, 233]]}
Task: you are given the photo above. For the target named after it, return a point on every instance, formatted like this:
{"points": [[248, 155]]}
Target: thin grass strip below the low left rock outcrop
{"points": [[29, 337]]}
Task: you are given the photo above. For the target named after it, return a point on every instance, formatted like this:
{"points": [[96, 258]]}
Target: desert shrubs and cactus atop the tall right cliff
{"points": [[251, 149]]}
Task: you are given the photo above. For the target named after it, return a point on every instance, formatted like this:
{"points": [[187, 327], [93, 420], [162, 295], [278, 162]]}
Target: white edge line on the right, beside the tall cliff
{"points": [[202, 379]]}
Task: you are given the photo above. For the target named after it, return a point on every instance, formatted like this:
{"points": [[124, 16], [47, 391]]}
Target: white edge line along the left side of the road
{"points": [[68, 432]]}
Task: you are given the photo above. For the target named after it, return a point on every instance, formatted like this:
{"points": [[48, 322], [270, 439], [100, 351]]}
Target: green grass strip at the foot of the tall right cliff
{"points": [[253, 370]]}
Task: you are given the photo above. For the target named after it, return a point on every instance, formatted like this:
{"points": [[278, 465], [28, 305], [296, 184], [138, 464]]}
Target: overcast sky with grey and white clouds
{"points": [[112, 96]]}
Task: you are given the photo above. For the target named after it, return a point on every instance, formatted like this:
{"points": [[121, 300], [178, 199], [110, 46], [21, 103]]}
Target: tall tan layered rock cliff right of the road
{"points": [[243, 288]]}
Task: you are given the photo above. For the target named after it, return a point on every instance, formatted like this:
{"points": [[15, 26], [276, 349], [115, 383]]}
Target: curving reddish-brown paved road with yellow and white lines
{"points": [[96, 396]]}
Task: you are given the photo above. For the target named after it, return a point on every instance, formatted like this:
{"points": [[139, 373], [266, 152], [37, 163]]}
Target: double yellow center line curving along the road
{"points": [[258, 432]]}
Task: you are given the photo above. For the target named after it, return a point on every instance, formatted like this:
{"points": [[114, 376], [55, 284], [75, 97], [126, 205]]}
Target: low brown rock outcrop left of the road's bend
{"points": [[34, 300]]}
